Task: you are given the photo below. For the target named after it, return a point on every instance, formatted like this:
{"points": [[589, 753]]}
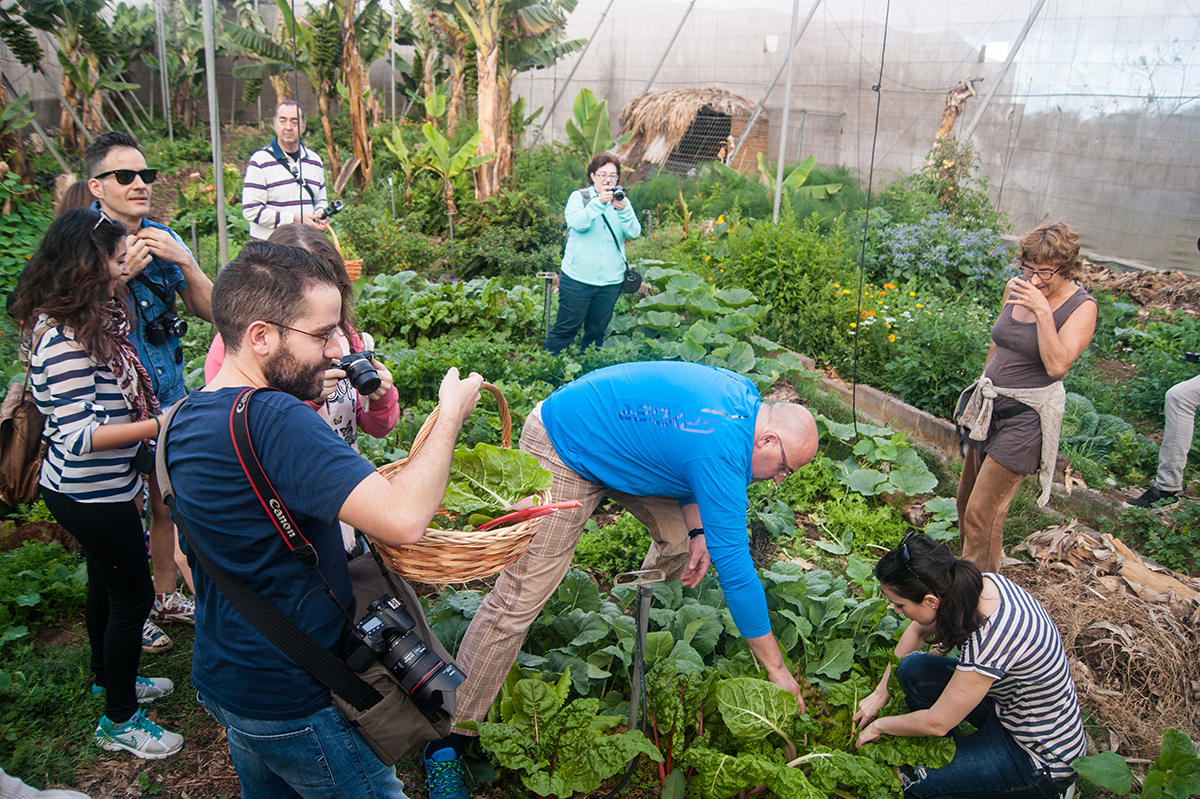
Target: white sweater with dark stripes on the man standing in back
{"points": [[272, 194]]}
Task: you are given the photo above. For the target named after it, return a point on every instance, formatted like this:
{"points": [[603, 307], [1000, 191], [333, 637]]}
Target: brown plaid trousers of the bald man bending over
{"points": [[496, 634]]}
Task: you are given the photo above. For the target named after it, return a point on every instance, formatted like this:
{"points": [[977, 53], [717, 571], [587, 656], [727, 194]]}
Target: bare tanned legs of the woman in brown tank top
{"points": [[986, 492]]}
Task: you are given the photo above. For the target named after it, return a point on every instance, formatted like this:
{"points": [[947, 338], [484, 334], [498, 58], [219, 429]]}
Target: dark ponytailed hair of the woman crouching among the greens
{"points": [[921, 567]]}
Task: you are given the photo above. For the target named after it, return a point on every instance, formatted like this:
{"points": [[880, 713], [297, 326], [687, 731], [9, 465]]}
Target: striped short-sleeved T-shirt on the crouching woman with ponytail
{"points": [[1034, 692]]}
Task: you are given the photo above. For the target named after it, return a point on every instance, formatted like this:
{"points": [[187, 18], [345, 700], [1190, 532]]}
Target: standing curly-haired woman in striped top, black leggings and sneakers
{"points": [[99, 408]]}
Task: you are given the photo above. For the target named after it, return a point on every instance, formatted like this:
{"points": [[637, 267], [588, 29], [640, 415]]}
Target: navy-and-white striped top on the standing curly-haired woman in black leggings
{"points": [[77, 395]]}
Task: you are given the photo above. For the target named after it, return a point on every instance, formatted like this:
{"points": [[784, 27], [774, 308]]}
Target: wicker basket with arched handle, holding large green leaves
{"points": [[445, 557]]}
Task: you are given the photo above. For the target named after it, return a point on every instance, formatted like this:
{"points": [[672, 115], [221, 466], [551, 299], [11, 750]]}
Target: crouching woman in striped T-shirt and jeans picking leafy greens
{"points": [[1011, 680]]}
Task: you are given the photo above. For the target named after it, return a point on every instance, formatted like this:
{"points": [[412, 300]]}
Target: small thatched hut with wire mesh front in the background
{"points": [[661, 124]]}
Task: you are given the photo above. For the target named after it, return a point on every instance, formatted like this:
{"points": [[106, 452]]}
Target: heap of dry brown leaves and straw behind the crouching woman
{"points": [[1130, 628]]}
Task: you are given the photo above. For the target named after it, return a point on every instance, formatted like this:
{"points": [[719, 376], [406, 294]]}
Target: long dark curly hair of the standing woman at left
{"points": [[68, 280]]}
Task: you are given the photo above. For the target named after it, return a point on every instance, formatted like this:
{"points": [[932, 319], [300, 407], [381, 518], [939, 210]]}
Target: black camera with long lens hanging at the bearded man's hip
{"points": [[386, 634]]}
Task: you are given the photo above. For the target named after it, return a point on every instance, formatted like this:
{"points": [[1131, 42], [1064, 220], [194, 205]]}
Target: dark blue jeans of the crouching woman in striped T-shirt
{"points": [[988, 764]]}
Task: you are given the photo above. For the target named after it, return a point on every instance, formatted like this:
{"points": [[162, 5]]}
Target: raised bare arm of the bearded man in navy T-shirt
{"points": [[398, 512]]}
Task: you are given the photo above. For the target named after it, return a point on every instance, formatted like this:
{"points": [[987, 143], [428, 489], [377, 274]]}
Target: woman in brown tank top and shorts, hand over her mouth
{"points": [[1047, 323]]}
